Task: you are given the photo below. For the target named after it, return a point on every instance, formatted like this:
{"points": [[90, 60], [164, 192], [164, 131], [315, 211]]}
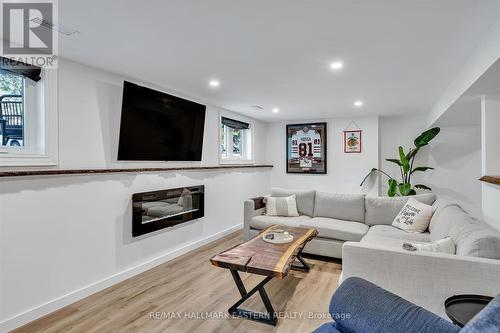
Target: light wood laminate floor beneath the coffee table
{"points": [[189, 289]]}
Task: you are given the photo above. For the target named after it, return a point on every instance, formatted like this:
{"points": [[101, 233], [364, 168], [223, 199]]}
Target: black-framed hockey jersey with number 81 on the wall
{"points": [[306, 148]]}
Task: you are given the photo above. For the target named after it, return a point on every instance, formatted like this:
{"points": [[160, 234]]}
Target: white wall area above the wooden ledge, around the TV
{"points": [[90, 109]]}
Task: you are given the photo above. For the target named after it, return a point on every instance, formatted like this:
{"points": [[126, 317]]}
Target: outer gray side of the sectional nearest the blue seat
{"points": [[424, 278]]}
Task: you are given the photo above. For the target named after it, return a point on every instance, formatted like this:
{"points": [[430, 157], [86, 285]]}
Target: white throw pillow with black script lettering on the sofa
{"points": [[413, 217]]}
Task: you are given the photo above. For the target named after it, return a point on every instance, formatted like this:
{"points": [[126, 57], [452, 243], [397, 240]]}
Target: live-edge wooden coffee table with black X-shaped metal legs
{"points": [[270, 260]]}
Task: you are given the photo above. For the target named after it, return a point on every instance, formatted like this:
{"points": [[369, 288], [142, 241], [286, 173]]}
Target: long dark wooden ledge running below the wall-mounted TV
{"points": [[55, 172]]}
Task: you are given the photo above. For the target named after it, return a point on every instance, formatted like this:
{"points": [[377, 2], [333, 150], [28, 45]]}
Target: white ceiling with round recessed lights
{"points": [[398, 55]]}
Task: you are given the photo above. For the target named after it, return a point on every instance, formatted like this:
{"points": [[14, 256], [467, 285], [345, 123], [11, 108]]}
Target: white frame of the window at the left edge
{"points": [[41, 126]]}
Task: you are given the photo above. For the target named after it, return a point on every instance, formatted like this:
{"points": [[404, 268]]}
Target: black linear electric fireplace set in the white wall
{"points": [[156, 210]]}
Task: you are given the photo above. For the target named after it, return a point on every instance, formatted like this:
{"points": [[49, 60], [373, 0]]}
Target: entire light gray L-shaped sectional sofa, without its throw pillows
{"points": [[357, 228]]}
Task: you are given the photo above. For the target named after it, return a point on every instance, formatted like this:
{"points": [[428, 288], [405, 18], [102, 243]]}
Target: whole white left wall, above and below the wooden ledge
{"points": [[64, 237]]}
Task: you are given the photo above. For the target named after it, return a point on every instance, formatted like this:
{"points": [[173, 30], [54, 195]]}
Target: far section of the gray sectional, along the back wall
{"points": [[337, 217]]}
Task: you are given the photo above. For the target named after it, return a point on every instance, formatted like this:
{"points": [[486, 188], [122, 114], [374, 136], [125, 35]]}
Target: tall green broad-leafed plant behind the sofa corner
{"points": [[405, 163]]}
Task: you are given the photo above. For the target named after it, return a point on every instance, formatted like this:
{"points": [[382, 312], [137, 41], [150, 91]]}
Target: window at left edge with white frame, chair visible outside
{"points": [[28, 117]]}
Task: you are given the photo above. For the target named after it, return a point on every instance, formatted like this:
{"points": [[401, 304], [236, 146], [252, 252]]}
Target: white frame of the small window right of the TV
{"points": [[247, 144]]}
